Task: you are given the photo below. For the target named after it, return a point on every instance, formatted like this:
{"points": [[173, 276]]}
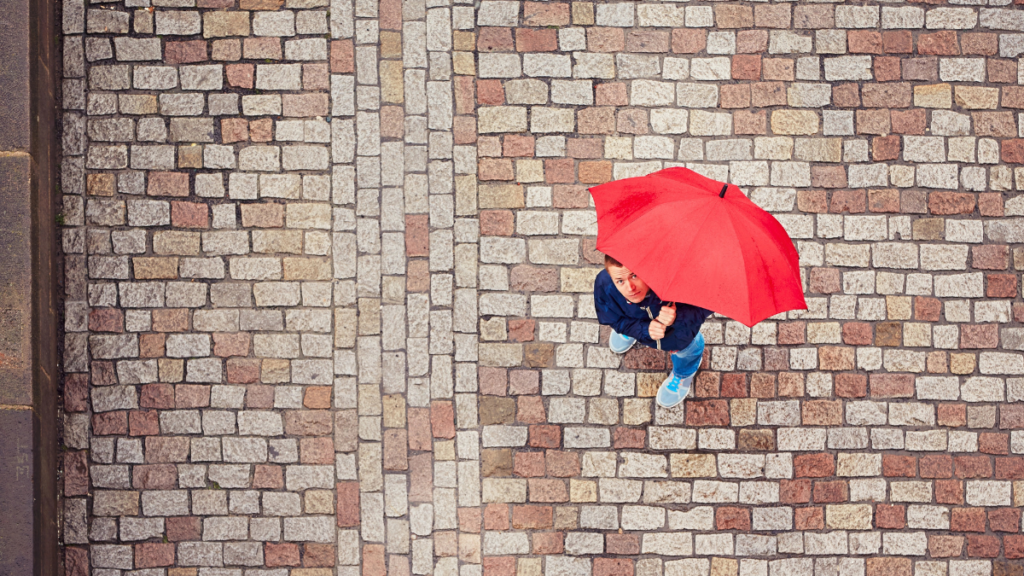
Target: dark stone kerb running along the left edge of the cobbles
{"points": [[29, 318]]}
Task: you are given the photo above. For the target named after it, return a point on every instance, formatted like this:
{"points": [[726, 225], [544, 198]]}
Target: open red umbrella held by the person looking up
{"points": [[702, 242]]}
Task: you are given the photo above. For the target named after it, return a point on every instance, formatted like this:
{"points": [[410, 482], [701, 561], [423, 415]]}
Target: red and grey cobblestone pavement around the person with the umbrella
{"points": [[329, 270]]}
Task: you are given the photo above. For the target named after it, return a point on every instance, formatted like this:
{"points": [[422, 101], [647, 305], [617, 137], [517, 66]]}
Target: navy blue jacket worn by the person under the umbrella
{"points": [[634, 319]]}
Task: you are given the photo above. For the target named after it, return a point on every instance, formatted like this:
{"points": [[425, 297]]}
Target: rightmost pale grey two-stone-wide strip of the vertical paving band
{"points": [[454, 232]]}
